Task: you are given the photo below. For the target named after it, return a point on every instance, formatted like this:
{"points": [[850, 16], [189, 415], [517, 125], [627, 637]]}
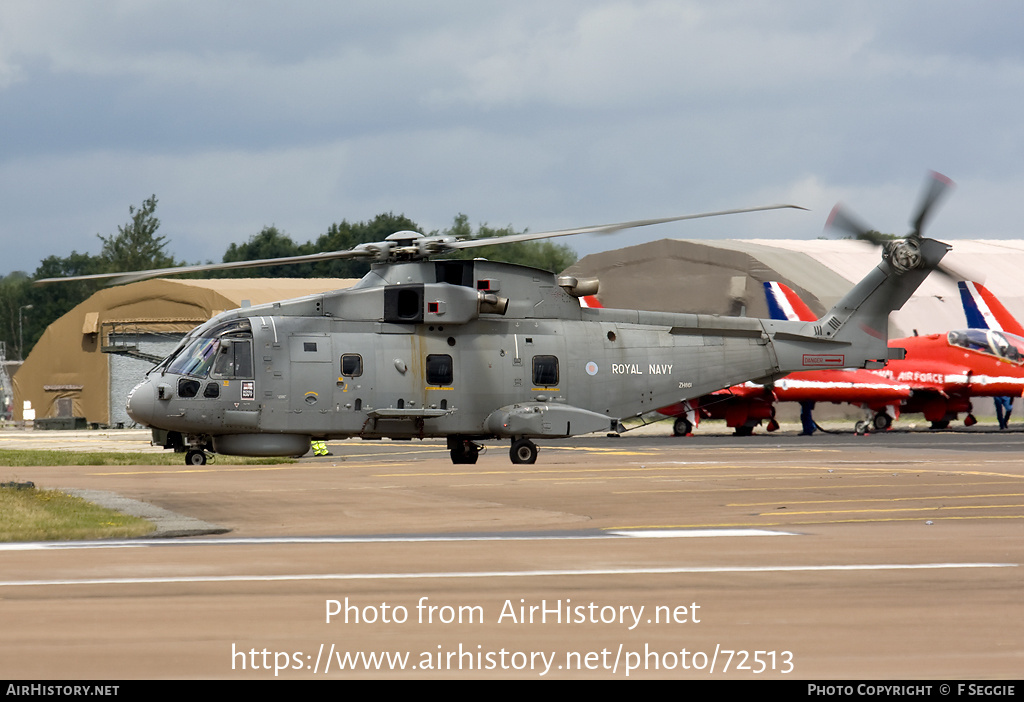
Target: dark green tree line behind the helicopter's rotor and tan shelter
{"points": [[26, 311]]}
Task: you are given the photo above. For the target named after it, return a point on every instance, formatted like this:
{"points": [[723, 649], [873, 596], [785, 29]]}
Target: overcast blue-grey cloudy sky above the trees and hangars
{"points": [[240, 115]]}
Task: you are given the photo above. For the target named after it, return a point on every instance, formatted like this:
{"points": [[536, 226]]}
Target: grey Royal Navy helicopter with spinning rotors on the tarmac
{"points": [[476, 350]]}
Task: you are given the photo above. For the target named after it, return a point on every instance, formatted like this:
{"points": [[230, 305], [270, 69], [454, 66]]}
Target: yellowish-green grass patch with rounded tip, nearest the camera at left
{"points": [[31, 515]]}
